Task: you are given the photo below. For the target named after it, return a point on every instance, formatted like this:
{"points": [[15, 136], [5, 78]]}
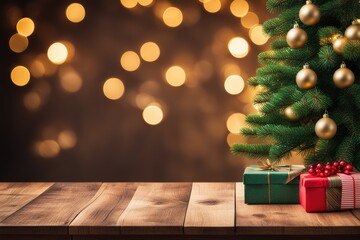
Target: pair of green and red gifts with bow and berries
{"points": [[320, 188]]}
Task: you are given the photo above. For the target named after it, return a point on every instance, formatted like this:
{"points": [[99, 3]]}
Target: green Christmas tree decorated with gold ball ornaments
{"points": [[308, 87]]}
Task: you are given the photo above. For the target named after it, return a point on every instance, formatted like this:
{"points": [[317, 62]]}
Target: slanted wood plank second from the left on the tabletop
{"points": [[52, 212]]}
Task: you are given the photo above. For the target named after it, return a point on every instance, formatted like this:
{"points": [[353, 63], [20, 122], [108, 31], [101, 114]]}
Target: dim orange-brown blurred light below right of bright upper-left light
{"points": [[70, 80]]}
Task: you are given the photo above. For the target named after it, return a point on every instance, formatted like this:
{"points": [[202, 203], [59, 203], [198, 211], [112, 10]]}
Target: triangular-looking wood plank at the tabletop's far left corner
{"points": [[14, 196]]}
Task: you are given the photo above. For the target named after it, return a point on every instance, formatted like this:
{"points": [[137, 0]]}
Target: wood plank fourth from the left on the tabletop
{"points": [[156, 208]]}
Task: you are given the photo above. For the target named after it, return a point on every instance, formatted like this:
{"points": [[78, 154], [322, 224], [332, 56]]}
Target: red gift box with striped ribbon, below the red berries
{"points": [[337, 192]]}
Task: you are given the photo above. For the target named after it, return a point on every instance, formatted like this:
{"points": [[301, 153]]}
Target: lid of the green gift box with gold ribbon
{"points": [[253, 175]]}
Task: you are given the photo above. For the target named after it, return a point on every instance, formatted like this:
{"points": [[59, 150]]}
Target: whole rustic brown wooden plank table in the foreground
{"points": [[99, 211]]}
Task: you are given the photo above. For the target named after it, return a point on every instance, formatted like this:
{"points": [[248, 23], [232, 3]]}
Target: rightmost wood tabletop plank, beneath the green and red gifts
{"points": [[290, 219]]}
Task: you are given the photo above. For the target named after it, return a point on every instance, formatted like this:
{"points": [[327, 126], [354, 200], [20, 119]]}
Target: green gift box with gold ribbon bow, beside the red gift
{"points": [[272, 186]]}
